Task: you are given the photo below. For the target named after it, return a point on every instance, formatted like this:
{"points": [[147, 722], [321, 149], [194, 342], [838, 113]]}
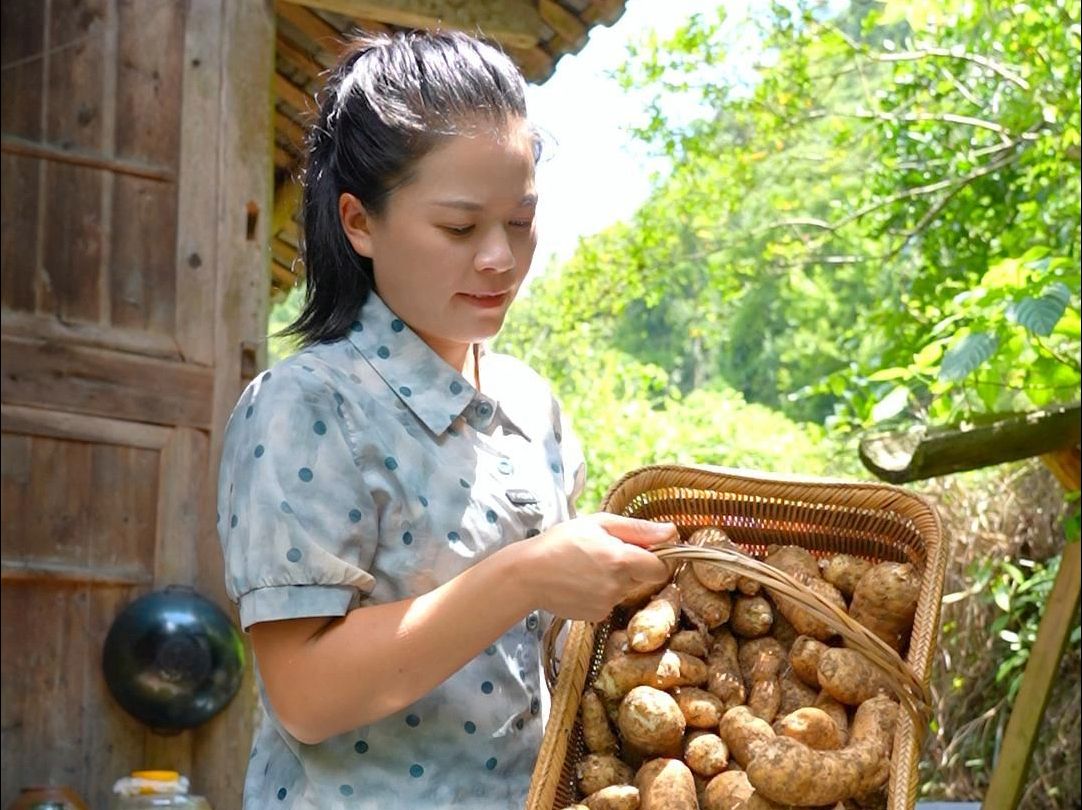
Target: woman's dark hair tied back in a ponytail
{"points": [[386, 105]]}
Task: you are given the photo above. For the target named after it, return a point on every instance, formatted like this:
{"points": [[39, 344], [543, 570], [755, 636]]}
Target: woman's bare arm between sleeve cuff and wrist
{"points": [[325, 679]]}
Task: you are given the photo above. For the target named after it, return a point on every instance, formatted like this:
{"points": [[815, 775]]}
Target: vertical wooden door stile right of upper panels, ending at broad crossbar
{"points": [[196, 260]]}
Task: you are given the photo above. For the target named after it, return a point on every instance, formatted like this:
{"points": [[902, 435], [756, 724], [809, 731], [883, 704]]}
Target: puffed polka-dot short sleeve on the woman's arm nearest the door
{"points": [[297, 524]]}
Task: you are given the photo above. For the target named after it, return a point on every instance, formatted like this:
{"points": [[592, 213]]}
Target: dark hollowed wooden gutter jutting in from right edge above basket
{"points": [[920, 454]]}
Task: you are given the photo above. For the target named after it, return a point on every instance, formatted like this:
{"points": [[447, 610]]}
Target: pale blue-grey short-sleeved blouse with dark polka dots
{"points": [[368, 471]]}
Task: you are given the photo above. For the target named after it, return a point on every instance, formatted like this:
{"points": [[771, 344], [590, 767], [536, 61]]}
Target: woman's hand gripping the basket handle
{"points": [[583, 568]]}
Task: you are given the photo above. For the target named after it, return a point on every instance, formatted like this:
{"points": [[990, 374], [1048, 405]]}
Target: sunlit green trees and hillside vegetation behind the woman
{"points": [[881, 230]]}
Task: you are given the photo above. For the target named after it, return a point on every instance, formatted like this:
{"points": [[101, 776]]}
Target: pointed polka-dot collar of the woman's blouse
{"points": [[433, 391]]}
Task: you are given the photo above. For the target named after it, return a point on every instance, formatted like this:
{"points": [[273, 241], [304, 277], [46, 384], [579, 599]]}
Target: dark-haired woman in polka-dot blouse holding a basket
{"points": [[395, 504]]}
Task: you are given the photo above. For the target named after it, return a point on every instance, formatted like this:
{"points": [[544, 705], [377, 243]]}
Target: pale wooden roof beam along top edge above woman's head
{"points": [[510, 22]]}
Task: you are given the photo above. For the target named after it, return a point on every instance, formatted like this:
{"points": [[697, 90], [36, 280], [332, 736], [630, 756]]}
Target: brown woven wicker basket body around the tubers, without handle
{"points": [[870, 521]]}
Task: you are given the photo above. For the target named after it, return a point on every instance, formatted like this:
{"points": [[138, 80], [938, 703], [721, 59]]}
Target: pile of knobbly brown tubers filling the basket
{"points": [[723, 696]]}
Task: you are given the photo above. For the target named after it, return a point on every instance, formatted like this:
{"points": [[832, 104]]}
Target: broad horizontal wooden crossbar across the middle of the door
{"points": [[107, 383]]}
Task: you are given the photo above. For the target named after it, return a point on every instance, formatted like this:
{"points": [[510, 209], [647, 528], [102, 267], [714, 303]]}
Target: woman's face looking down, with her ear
{"points": [[454, 244]]}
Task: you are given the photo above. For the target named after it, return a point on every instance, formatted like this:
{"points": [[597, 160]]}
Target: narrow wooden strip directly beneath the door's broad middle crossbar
{"points": [[82, 428]]}
